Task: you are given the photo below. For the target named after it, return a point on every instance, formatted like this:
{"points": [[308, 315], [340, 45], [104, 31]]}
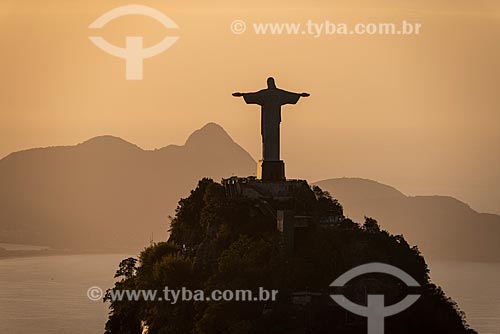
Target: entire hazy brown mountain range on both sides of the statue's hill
{"points": [[107, 193]]}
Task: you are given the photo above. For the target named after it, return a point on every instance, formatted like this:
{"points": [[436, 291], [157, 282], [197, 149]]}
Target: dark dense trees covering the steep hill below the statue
{"points": [[222, 243]]}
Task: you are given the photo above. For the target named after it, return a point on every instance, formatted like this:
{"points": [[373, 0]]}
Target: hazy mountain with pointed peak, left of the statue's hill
{"points": [[106, 192]]}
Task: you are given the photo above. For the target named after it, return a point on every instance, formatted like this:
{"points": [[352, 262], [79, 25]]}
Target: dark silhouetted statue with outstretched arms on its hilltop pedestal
{"points": [[271, 99]]}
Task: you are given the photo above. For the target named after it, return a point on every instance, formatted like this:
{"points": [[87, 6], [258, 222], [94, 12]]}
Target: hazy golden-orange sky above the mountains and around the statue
{"points": [[421, 113]]}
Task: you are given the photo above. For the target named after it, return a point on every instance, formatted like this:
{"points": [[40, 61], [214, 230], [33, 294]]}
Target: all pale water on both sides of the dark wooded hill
{"points": [[48, 295]]}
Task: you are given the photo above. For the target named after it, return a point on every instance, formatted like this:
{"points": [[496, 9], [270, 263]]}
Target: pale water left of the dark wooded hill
{"points": [[48, 295]]}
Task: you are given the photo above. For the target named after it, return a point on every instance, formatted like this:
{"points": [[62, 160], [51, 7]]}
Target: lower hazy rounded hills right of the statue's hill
{"points": [[442, 227]]}
